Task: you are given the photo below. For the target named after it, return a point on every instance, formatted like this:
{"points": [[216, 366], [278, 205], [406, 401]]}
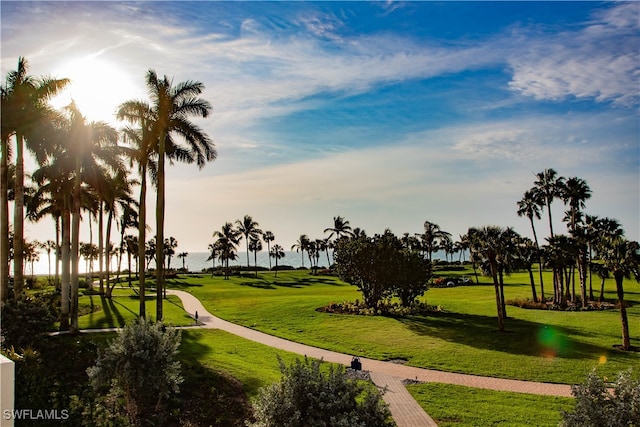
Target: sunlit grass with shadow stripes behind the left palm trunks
{"points": [[123, 307]]}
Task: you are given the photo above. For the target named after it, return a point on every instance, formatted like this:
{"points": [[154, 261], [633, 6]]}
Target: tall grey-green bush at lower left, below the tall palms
{"points": [[137, 371]]}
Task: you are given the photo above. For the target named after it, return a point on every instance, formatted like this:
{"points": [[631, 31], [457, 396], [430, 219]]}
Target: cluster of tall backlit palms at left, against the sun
{"points": [[88, 166]]}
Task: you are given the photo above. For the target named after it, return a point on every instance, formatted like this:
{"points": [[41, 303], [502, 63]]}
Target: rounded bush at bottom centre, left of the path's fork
{"points": [[307, 396]]}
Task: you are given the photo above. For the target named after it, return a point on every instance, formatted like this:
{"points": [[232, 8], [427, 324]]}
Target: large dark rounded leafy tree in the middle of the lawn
{"points": [[380, 267]]}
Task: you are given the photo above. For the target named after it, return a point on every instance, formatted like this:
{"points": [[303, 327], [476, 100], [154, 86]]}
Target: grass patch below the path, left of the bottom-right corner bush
{"points": [[458, 406]]}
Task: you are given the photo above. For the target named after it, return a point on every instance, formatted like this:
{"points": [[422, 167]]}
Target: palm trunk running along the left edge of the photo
{"points": [[4, 221]]}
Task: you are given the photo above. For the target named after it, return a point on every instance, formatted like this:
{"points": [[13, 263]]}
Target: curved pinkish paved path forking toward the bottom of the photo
{"points": [[405, 410]]}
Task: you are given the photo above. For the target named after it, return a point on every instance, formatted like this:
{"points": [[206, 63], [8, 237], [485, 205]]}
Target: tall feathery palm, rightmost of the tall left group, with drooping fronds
{"points": [[171, 108]]}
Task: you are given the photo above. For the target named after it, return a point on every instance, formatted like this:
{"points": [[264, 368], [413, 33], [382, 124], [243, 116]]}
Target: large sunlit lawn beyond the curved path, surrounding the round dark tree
{"points": [[538, 345]]}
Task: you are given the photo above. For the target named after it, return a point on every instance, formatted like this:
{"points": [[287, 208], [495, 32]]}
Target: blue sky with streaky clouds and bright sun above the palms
{"points": [[386, 113]]}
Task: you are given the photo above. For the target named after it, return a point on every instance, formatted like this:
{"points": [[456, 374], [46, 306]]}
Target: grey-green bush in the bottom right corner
{"points": [[596, 405]]}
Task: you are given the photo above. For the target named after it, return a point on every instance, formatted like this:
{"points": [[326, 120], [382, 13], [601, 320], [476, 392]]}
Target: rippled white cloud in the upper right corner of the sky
{"points": [[600, 61]]}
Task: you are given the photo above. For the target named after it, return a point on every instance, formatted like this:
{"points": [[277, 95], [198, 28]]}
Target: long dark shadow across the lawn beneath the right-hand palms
{"points": [[520, 338]]}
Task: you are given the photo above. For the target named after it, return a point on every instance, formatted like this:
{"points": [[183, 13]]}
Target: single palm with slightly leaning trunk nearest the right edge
{"points": [[622, 259]]}
